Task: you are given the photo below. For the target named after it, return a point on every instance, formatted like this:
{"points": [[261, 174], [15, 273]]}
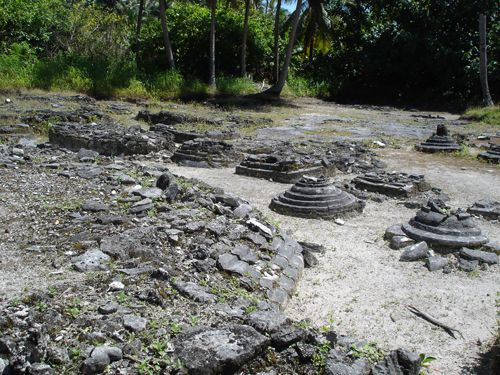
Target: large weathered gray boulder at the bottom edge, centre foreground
{"points": [[207, 351]]}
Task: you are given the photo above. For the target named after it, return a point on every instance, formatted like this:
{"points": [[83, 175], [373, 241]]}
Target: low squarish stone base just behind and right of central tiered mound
{"points": [[397, 185]]}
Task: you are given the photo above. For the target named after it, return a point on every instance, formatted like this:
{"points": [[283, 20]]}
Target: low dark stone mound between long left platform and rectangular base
{"points": [[205, 153]]}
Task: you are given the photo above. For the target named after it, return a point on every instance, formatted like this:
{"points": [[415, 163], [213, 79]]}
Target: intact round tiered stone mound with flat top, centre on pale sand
{"points": [[313, 197]]}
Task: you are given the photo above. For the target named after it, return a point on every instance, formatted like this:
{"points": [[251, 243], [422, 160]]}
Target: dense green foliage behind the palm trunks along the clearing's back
{"points": [[407, 51]]}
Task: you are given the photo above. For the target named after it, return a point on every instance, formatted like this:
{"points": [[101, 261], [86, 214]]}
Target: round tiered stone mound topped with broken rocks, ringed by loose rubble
{"points": [[442, 228]]}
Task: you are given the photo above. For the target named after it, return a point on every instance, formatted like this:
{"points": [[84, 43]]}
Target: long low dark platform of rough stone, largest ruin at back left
{"points": [[108, 139]]}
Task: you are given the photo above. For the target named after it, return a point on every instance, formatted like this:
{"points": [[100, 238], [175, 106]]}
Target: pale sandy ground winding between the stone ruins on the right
{"points": [[359, 282]]}
